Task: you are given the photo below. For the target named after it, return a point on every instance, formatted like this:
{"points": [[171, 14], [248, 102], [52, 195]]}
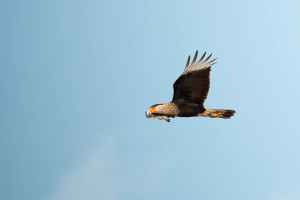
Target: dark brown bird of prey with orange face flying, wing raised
{"points": [[190, 92]]}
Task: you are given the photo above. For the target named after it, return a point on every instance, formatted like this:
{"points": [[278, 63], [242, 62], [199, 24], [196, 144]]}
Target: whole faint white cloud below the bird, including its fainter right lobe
{"points": [[98, 176]]}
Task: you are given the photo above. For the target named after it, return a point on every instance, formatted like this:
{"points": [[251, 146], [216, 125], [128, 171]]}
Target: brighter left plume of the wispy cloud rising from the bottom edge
{"points": [[92, 178]]}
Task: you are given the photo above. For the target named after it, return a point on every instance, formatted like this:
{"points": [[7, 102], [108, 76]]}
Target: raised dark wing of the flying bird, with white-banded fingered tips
{"points": [[193, 83]]}
